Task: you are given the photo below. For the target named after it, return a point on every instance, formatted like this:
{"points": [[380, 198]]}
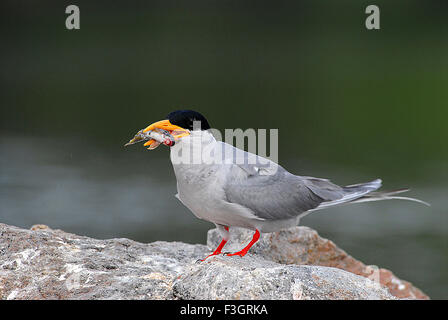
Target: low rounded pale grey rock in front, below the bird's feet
{"points": [[256, 278]]}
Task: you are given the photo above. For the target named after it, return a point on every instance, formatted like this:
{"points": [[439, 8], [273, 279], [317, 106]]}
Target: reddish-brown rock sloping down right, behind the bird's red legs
{"points": [[303, 246]]}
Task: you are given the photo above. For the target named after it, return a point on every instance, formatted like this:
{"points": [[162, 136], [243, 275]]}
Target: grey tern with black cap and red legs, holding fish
{"points": [[231, 187]]}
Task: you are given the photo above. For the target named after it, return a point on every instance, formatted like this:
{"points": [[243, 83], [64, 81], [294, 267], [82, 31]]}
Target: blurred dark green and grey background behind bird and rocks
{"points": [[350, 105]]}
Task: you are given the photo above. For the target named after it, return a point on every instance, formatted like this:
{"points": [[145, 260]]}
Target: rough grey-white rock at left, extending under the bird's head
{"points": [[52, 264]]}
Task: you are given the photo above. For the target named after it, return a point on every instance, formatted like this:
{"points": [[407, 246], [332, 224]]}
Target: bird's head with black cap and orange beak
{"points": [[178, 124]]}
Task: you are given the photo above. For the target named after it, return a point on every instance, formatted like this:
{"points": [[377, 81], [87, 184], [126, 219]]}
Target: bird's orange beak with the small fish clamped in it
{"points": [[161, 132]]}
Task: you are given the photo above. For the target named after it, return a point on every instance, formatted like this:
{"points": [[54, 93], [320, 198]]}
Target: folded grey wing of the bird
{"points": [[272, 193]]}
